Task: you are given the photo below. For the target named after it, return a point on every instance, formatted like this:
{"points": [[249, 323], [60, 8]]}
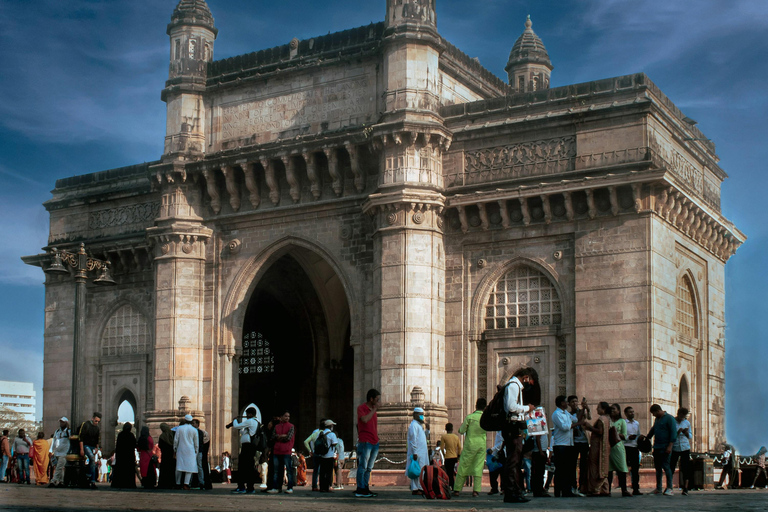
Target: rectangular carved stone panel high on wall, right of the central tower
{"points": [[519, 160]]}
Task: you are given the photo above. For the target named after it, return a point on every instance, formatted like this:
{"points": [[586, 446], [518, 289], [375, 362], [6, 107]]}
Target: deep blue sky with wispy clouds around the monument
{"points": [[80, 92]]}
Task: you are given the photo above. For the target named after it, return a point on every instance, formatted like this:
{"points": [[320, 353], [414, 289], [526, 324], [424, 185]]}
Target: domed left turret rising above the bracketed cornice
{"points": [[192, 35]]}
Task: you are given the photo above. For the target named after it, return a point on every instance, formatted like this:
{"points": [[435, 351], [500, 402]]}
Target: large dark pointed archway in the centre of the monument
{"points": [[296, 354]]}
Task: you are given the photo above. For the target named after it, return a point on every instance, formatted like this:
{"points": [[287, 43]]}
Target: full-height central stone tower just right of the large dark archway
{"points": [[409, 255]]}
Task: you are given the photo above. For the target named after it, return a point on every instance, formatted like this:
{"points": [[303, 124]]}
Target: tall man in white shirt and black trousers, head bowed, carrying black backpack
{"points": [[523, 381]]}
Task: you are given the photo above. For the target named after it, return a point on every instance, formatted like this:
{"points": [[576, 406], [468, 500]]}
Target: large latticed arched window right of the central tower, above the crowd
{"points": [[523, 297]]}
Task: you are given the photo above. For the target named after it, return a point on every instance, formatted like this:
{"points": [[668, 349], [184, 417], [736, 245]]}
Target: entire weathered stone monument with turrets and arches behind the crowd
{"points": [[373, 208]]}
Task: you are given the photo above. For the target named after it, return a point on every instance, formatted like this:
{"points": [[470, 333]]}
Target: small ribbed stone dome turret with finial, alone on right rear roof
{"points": [[529, 66]]}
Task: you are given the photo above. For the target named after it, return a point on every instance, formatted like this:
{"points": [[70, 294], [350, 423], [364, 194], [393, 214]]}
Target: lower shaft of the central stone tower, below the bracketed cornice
{"points": [[409, 300]]}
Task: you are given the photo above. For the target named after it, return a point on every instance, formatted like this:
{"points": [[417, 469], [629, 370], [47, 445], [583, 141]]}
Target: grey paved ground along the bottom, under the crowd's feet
{"points": [[30, 498]]}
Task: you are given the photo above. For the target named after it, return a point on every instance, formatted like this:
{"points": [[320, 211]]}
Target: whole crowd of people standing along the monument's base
{"points": [[582, 453]]}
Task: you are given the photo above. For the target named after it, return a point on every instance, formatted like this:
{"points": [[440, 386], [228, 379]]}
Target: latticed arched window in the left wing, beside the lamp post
{"points": [[127, 332]]}
